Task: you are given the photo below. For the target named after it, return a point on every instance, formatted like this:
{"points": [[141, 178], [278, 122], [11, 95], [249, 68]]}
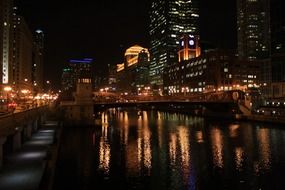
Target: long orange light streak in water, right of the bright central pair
{"points": [[217, 147]]}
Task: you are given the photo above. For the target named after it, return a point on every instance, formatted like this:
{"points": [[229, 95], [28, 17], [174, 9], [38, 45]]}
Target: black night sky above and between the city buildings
{"points": [[103, 29]]}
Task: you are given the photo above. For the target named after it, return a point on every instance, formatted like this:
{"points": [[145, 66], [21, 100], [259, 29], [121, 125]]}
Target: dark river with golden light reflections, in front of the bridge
{"points": [[134, 149]]}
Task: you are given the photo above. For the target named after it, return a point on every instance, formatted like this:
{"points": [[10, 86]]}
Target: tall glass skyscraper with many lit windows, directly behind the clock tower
{"points": [[169, 20]]}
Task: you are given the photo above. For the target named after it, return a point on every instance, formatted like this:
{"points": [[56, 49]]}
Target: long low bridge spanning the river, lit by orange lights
{"points": [[211, 101]]}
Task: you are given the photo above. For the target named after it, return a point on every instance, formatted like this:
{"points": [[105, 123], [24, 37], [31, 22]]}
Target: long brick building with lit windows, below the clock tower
{"points": [[216, 70]]}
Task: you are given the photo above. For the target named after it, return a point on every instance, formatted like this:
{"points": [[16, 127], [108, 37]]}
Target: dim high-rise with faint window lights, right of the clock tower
{"points": [[253, 22]]}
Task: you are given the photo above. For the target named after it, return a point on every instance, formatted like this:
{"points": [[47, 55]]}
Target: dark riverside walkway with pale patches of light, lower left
{"points": [[26, 168]]}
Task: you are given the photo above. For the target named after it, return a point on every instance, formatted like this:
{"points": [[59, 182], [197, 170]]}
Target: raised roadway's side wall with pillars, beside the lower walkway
{"points": [[15, 128]]}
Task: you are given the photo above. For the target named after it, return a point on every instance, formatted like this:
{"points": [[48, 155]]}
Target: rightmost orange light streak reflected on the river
{"points": [[264, 148]]}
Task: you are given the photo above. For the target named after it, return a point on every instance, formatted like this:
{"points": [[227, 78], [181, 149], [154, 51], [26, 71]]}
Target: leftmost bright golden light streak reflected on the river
{"points": [[104, 151]]}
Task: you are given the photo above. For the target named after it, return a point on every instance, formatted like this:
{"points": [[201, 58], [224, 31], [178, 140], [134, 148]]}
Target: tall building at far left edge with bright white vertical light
{"points": [[6, 9]]}
